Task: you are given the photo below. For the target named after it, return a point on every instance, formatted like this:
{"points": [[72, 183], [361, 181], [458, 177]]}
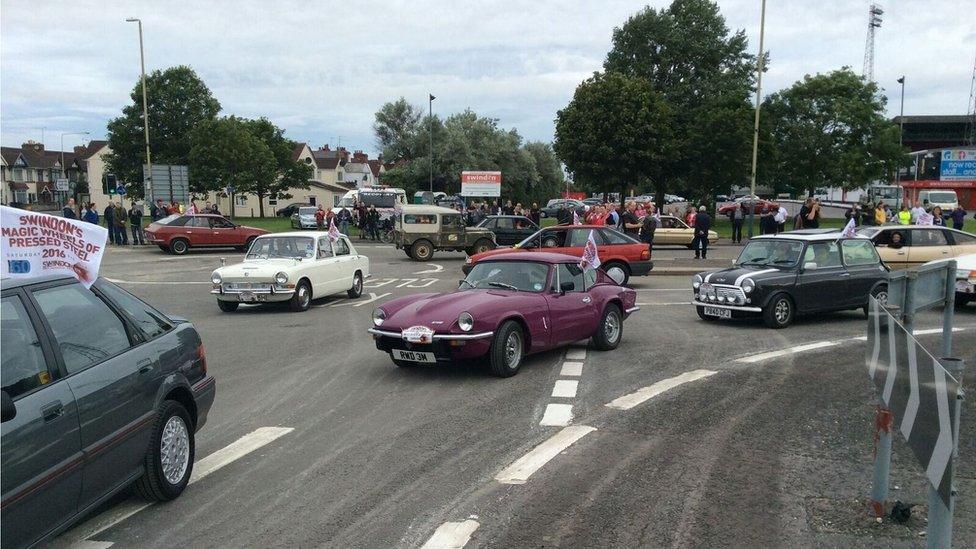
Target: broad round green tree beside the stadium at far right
{"points": [[829, 130]]}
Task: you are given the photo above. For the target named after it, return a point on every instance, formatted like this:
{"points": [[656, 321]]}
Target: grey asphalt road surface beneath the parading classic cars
{"points": [[761, 453]]}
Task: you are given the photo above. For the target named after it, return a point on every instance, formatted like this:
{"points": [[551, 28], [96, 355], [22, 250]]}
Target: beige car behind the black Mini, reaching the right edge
{"points": [[902, 246]]}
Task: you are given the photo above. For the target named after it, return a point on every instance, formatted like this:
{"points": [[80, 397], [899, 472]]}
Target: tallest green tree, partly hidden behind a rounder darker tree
{"points": [[705, 76]]}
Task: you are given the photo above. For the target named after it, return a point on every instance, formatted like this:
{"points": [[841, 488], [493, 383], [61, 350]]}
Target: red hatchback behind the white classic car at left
{"points": [[179, 233]]}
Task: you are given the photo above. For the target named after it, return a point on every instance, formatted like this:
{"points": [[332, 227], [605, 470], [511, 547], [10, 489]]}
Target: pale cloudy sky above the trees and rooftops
{"points": [[321, 69]]}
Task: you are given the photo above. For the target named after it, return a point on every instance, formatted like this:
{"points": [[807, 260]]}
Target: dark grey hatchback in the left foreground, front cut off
{"points": [[100, 390]]}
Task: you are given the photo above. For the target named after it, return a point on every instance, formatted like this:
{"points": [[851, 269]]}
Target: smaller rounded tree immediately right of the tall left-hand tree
{"points": [[225, 153]]}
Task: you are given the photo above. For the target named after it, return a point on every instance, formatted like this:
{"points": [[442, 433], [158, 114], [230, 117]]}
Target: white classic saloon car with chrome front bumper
{"points": [[294, 267]]}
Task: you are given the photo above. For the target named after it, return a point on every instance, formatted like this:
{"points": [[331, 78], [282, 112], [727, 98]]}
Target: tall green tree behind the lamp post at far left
{"points": [[177, 101]]}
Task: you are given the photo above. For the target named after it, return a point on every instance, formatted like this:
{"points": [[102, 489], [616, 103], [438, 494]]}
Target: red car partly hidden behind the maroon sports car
{"points": [[620, 255]]}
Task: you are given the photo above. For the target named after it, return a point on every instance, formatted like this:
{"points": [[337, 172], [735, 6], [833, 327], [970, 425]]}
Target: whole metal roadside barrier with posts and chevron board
{"points": [[921, 396]]}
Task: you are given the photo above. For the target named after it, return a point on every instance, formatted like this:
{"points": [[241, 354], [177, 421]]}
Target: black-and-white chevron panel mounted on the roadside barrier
{"points": [[918, 390]]}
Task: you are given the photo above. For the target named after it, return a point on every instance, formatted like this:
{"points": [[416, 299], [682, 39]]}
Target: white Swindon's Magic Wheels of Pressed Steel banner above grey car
{"points": [[36, 244]]}
